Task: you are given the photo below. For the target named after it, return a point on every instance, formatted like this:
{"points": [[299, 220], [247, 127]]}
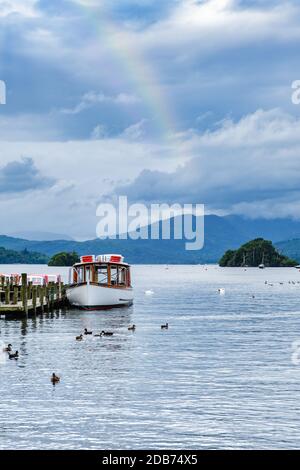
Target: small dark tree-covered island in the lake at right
{"points": [[258, 252]]}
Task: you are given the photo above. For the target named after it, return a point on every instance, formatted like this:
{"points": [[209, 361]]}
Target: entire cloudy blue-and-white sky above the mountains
{"points": [[163, 101]]}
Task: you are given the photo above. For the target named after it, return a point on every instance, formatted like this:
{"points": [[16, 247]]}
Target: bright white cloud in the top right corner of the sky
{"points": [[217, 24]]}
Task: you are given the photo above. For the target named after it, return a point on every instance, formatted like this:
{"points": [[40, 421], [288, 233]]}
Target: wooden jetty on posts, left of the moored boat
{"points": [[22, 299]]}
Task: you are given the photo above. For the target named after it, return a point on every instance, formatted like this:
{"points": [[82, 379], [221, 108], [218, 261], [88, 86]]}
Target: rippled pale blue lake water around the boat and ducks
{"points": [[223, 376]]}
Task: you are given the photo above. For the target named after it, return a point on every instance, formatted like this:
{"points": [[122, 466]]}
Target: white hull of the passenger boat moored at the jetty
{"points": [[91, 296]]}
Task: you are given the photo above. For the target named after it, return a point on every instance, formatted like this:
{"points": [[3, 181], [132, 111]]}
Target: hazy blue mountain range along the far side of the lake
{"points": [[221, 234]]}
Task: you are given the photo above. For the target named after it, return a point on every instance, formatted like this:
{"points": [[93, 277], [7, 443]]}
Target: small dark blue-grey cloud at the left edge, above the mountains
{"points": [[23, 175]]}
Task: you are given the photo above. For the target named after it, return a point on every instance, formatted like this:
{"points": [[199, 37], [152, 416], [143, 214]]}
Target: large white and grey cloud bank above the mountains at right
{"points": [[245, 165]]}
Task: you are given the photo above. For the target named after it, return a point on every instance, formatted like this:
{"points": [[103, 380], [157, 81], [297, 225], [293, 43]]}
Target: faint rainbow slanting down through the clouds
{"points": [[135, 68]]}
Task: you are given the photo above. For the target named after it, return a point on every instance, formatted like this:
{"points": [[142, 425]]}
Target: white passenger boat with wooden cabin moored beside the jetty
{"points": [[100, 282]]}
